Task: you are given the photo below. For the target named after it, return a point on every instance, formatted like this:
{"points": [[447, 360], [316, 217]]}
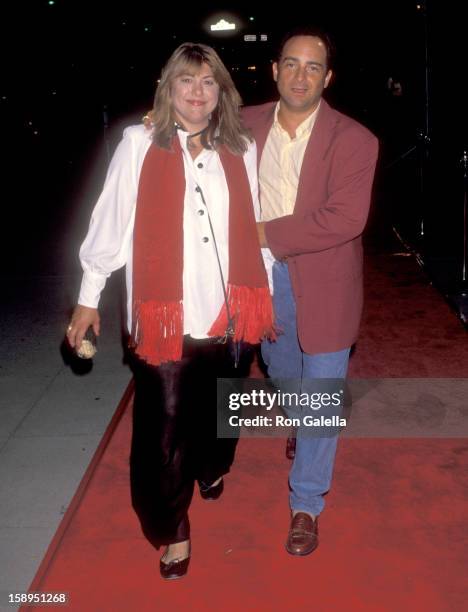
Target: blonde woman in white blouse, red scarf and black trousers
{"points": [[177, 209]]}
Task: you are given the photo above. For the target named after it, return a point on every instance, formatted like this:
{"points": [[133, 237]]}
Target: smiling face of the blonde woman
{"points": [[194, 97]]}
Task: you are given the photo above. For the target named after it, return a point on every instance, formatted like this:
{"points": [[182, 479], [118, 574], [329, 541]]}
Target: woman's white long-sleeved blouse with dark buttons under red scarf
{"points": [[109, 243]]}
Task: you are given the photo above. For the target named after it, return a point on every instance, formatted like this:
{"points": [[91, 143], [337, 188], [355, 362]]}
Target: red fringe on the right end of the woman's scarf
{"points": [[252, 311]]}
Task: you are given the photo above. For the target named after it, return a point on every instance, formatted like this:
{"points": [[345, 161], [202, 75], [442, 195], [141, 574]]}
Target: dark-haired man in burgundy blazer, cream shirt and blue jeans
{"points": [[316, 171]]}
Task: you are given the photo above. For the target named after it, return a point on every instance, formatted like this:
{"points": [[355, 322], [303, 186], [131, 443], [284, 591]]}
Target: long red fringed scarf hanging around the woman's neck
{"points": [[157, 331]]}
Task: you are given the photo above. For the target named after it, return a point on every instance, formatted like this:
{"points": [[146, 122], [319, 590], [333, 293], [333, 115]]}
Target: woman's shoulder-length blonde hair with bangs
{"points": [[225, 127]]}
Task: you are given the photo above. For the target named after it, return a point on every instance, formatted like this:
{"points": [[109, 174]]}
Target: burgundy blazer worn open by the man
{"points": [[322, 238]]}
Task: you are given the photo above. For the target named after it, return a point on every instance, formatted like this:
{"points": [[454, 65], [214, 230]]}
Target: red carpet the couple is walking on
{"points": [[394, 533]]}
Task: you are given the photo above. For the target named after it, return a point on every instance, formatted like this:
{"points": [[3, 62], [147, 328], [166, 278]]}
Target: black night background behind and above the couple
{"points": [[75, 73]]}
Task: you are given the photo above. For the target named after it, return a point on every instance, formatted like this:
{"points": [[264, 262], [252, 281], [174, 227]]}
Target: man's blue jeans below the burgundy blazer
{"points": [[311, 473]]}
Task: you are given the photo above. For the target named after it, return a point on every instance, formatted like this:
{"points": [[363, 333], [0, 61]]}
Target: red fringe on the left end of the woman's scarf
{"points": [[158, 331]]}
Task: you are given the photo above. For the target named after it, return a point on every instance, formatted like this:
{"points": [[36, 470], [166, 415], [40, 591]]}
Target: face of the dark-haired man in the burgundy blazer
{"points": [[301, 73]]}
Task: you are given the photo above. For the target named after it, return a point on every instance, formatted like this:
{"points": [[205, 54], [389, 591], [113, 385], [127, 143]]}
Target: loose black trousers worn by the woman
{"points": [[174, 440]]}
